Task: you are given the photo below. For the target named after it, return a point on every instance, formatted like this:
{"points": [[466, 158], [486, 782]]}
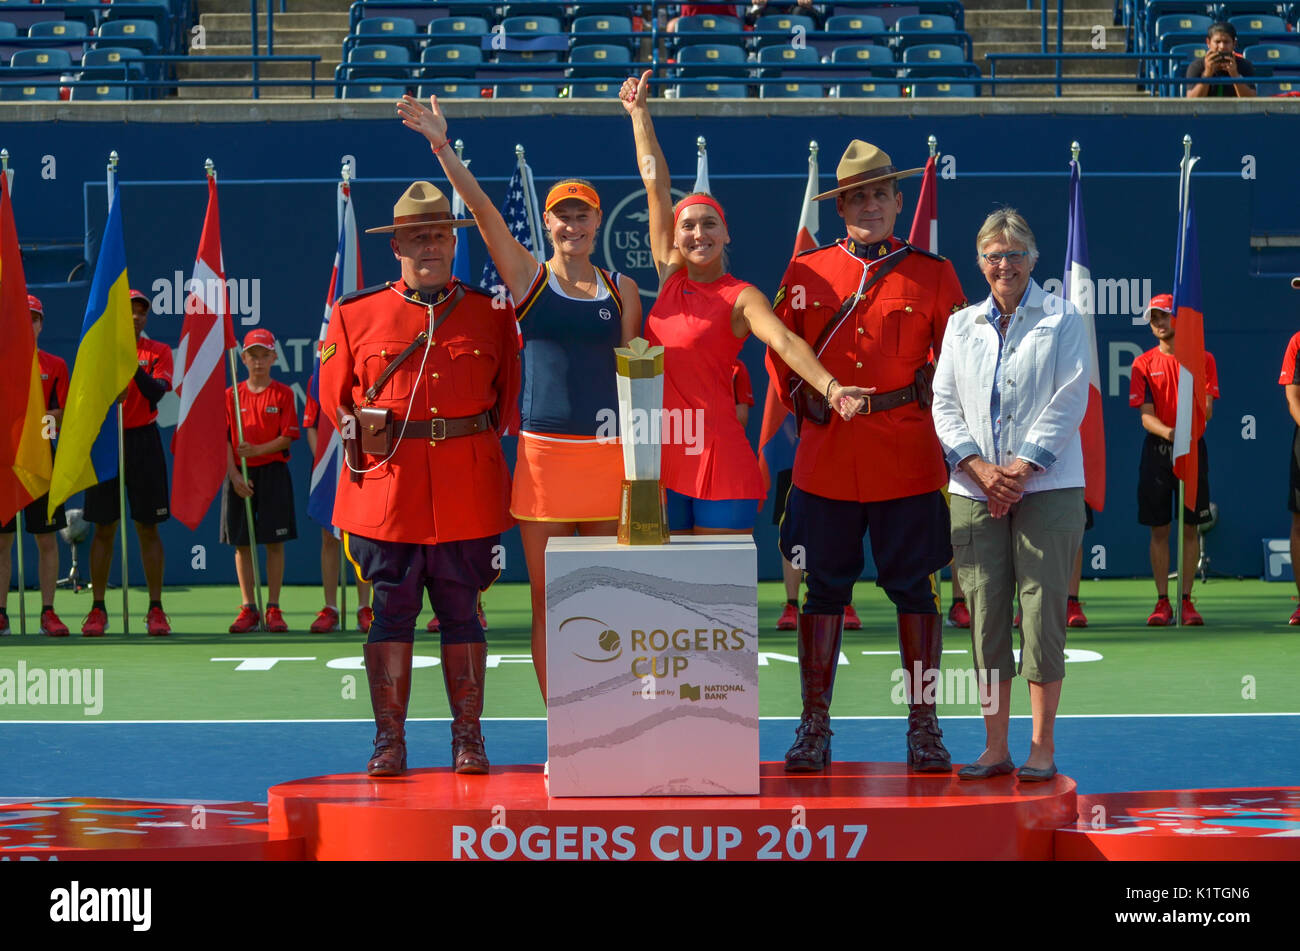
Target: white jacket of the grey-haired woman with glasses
{"points": [[1047, 364]]}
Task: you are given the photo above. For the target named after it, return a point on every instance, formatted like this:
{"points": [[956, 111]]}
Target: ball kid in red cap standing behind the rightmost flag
{"points": [[1154, 392]]}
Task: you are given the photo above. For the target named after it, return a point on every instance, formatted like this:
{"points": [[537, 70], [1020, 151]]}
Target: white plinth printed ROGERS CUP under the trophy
{"points": [[652, 659]]}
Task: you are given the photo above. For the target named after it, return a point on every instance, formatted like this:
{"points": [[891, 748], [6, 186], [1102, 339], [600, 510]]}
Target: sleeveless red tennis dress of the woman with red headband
{"points": [[692, 323]]}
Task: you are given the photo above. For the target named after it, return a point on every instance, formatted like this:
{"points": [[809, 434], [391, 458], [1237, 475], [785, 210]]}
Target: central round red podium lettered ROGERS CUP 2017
{"points": [[853, 811]]}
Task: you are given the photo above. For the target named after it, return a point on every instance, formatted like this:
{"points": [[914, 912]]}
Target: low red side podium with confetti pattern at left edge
{"points": [[90, 830]]}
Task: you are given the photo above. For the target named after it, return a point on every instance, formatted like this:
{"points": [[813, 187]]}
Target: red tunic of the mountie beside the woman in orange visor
{"points": [[428, 492]]}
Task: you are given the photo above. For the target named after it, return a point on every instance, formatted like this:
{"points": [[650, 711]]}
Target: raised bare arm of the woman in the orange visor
{"points": [[515, 263]]}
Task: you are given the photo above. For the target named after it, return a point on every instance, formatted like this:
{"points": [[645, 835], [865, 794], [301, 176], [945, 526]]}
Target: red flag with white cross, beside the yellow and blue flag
{"points": [[206, 336]]}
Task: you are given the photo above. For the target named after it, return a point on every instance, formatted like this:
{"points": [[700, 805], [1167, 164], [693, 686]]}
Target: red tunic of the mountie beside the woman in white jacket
{"points": [[882, 344]]}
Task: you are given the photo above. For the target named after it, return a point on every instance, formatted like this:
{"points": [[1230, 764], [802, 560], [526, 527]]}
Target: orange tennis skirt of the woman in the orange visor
{"points": [[566, 480]]}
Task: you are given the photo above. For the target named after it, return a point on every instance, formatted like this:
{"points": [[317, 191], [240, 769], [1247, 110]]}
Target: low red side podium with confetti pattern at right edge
{"points": [[1186, 826]]}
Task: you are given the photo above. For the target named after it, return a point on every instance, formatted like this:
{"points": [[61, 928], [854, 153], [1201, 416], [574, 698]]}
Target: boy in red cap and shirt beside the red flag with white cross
{"points": [[270, 427]]}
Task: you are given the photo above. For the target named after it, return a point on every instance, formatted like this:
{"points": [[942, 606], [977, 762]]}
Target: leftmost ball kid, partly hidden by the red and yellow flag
{"points": [[54, 383]]}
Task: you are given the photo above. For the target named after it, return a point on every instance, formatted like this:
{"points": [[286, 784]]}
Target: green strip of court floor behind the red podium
{"points": [[1245, 661]]}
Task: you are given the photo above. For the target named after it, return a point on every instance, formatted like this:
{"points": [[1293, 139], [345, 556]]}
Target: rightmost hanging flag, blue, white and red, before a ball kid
{"points": [[1189, 338]]}
